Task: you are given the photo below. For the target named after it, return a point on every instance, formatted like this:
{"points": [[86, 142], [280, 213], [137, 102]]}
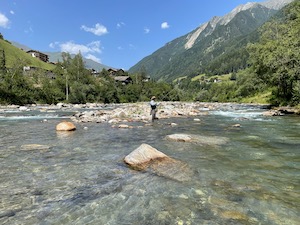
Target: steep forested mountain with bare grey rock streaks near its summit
{"points": [[216, 47]]}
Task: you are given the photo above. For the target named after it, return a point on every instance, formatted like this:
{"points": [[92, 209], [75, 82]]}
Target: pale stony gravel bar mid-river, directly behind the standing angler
{"points": [[141, 112]]}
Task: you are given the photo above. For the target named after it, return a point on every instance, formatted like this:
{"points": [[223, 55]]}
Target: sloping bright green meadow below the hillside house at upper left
{"points": [[14, 56]]}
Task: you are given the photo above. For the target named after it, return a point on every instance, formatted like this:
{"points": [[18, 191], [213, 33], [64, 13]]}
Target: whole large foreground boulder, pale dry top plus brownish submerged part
{"points": [[147, 158]]}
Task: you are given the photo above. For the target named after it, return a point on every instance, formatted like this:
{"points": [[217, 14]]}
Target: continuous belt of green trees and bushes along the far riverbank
{"points": [[272, 76]]}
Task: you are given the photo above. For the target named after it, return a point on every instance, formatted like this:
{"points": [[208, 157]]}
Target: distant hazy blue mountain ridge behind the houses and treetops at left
{"points": [[56, 56]]}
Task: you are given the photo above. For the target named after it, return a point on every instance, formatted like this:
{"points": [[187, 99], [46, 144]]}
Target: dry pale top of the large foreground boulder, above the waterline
{"points": [[143, 155]]}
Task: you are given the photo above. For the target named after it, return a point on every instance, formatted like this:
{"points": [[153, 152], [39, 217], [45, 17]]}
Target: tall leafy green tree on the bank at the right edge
{"points": [[275, 59]]}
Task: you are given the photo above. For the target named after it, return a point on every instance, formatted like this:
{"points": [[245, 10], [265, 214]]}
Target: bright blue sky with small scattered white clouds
{"points": [[116, 33]]}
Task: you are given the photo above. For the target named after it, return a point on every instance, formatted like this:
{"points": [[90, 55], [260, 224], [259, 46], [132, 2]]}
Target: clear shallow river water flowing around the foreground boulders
{"points": [[80, 177]]}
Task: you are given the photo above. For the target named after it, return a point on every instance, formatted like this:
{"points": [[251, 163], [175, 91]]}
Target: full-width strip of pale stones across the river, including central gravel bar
{"points": [[140, 112]]}
